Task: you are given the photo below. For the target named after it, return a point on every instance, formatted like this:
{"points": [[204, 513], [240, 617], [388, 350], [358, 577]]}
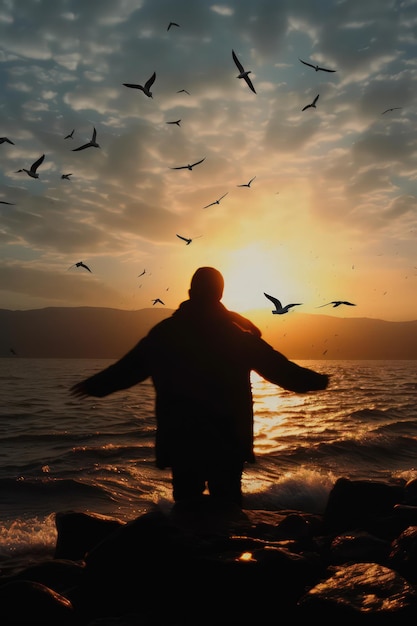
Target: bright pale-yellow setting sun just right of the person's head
{"points": [[253, 270]]}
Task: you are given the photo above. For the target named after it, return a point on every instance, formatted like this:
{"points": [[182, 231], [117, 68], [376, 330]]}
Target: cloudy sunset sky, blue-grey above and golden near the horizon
{"points": [[331, 209]]}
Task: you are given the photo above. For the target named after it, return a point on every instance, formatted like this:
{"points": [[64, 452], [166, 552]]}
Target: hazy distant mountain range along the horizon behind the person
{"points": [[105, 333]]}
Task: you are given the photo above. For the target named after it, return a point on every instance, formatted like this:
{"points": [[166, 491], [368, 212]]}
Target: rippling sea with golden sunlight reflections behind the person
{"points": [[58, 453]]}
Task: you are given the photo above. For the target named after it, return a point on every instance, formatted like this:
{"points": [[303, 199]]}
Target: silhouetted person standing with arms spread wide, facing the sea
{"points": [[200, 360]]}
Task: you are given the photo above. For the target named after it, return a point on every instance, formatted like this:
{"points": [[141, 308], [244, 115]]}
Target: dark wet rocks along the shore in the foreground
{"points": [[205, 564]]}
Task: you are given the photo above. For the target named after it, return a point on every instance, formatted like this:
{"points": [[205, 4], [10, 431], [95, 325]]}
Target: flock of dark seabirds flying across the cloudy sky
{"points": [[243, 74]]}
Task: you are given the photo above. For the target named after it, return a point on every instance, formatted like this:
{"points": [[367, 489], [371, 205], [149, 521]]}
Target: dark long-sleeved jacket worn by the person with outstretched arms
{"points": [[200, 361]]}
